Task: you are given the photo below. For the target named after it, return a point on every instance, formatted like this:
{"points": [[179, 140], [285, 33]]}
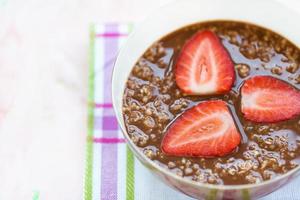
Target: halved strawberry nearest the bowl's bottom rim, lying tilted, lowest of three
{"points": [[205, 130]]}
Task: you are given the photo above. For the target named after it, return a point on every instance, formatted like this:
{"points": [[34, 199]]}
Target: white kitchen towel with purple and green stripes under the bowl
{"points": [[112, 172]]}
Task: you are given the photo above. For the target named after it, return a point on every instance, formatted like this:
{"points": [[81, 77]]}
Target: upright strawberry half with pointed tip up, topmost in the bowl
{"points": [[204, 66]]}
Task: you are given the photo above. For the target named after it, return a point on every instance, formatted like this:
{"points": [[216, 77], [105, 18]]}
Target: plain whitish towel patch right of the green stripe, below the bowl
{"points": [[148, 187]]}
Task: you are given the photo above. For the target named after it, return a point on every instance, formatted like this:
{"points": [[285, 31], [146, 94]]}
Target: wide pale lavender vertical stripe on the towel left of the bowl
{"points": [[109, 170]]}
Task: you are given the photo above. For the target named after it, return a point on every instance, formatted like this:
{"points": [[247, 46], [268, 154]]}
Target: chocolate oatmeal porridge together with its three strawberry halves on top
{"points": [[156, 100]]}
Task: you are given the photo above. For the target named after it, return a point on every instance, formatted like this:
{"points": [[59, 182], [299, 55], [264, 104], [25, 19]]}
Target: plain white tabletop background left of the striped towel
{"points": [[43, 90]]}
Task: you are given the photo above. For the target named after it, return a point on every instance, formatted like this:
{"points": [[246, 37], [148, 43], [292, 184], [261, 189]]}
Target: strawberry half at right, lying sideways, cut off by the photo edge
{"points": [[267, 99]]}
